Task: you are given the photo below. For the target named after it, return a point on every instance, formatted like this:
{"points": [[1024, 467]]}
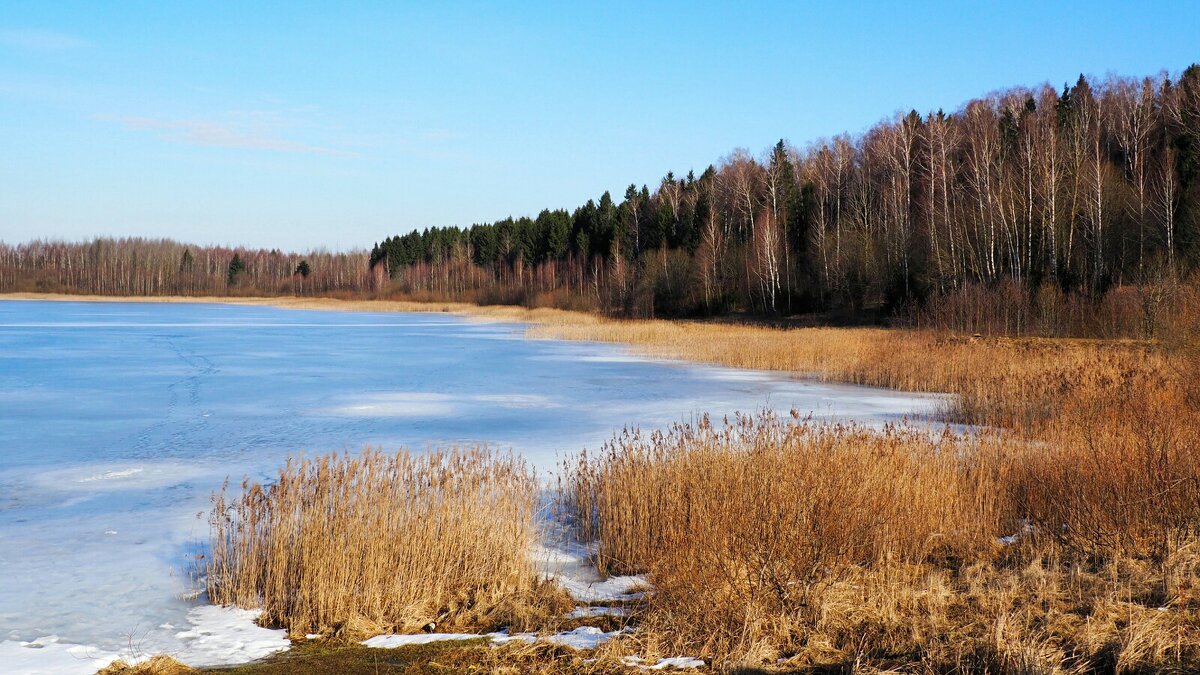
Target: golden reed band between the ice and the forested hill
{"points": [[995, 381]]}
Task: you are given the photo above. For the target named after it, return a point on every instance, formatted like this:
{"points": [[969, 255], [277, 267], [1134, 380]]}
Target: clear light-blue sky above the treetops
{"points": [[301, 126]]}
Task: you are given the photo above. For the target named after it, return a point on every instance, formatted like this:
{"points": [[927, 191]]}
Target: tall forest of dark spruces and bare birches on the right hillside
{"points": [[1078, 192]]}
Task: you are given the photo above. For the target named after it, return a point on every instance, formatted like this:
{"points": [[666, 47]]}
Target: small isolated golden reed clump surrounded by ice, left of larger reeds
{"points": [[363, 545]]}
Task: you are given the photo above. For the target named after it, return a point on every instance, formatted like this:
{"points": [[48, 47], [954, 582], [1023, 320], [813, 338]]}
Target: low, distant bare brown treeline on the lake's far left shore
{"points": [[161, 267]]}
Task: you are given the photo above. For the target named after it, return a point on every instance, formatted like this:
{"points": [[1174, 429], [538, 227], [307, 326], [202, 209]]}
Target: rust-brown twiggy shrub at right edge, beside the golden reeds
{"points": [[1117, 470]]}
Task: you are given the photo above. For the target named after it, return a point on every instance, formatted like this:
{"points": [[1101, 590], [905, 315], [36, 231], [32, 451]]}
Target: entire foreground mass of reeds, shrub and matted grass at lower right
{"points": [[772, 540]]}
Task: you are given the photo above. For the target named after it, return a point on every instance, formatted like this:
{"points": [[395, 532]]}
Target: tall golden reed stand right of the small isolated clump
{"points": [[823, 497]]}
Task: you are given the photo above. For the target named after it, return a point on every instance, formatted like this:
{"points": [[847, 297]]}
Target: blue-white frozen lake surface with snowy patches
{"points": [[118, 422]]}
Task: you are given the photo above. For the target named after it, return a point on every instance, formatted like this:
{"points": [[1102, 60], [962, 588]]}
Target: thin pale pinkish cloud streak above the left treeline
{"points": [[223, 135]]}
